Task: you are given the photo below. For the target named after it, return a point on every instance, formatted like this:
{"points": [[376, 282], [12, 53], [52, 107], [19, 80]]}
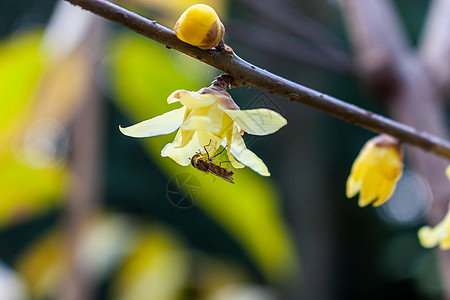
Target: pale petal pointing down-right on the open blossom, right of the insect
{"points": [[245, 156]]}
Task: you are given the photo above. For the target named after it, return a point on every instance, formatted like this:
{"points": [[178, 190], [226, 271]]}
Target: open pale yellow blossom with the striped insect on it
{"points": [[209, 118]]}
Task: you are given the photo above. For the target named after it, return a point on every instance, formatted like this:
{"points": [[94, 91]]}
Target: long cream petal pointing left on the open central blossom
{"points": [[163, 124]]}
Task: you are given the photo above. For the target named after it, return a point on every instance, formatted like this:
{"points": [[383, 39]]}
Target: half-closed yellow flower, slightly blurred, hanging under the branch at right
{"points": [[376, 171]]}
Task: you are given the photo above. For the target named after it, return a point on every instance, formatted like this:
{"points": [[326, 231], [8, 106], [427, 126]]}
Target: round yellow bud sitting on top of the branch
{"points": [[200, 26]]}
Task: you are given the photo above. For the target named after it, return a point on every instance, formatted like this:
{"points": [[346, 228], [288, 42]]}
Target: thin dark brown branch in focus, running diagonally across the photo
{"points": [[246, 74]]}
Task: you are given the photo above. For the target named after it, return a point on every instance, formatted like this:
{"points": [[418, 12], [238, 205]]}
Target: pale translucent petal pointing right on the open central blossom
{"points": [[261, 121]]}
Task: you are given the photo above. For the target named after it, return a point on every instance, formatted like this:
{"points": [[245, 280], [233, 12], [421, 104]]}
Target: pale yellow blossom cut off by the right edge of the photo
{"points": [[430, 237]]}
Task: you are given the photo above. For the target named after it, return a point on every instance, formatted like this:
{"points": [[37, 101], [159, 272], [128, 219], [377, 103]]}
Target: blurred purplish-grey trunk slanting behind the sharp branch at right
{"points": [[414, 99]]}
